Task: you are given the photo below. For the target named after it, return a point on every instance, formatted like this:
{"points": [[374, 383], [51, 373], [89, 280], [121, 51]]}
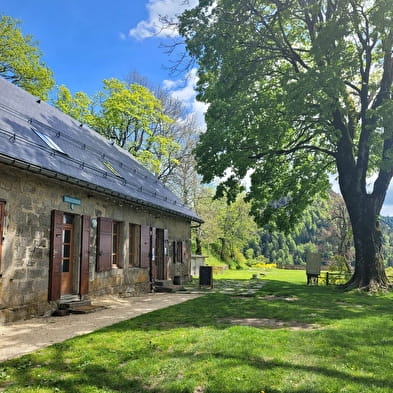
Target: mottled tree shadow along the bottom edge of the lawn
{"points": [[104, 376]]}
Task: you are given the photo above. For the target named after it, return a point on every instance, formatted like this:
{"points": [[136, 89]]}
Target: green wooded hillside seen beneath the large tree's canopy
{"points": [[325, 229]]}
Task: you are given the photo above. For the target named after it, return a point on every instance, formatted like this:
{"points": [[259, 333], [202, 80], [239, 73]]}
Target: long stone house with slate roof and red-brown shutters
{"points": [[79, 216]]}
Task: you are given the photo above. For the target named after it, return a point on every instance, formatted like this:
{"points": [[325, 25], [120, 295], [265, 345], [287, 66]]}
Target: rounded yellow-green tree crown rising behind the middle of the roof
{"points": [[129, 114]]}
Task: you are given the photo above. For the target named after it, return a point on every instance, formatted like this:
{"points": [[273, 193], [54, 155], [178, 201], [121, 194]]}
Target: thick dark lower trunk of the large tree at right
{"points": [[369, 271]]}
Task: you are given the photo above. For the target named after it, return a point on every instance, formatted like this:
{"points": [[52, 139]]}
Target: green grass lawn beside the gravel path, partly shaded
{"points": [[286, 337]]}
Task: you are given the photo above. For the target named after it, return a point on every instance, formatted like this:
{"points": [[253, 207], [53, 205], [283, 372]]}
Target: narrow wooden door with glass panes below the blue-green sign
{"points": [[67, 255]]}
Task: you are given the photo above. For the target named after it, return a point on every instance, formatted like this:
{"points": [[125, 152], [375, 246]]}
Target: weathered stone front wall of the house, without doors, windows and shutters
{"points": [[24, 269]]}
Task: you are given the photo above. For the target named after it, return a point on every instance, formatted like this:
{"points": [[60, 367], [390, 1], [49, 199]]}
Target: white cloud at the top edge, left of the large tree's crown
{"points": [[153, 26]]}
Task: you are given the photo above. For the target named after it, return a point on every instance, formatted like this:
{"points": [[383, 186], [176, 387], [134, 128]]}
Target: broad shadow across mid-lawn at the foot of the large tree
{"points": [[279, 300]]}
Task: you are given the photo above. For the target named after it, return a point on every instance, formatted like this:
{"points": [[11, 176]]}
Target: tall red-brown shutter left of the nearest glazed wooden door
{"points": [[56, 243]]}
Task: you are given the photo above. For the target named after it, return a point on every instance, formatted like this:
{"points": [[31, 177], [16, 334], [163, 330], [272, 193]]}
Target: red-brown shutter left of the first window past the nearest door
{"points": [[104, 244]]}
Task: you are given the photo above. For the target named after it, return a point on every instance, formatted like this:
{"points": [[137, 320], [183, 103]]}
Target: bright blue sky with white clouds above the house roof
{"points": [[86, 41]]}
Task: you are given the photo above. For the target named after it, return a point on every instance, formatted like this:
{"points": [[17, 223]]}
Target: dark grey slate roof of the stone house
{"points": [[36, 136]]}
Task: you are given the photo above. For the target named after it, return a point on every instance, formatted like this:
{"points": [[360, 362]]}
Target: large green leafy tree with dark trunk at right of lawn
{"points": [[298, 89]]}
